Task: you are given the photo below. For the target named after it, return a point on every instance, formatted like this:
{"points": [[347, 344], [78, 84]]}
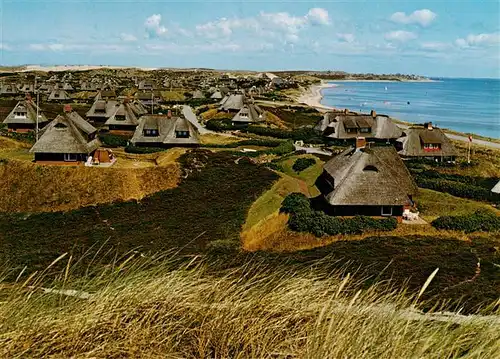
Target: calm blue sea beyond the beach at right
{"points": [[463, 105]]}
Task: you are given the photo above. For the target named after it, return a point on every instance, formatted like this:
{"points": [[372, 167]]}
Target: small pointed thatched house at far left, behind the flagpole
{"points": [[22, 118]]}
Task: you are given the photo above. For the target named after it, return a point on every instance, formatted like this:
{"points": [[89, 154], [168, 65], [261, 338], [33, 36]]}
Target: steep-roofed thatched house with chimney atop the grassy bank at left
{"points": [[68, 139]]}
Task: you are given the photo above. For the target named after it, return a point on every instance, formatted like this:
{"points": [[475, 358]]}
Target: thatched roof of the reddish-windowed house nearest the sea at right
{"points": [[416, 137]]}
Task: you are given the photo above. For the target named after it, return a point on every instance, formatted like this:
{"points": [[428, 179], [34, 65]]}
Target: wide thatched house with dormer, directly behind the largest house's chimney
{"points": [[348, 125]]}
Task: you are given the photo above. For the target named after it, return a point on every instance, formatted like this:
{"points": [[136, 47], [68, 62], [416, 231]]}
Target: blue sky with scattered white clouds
{"points": [[441, 38]]}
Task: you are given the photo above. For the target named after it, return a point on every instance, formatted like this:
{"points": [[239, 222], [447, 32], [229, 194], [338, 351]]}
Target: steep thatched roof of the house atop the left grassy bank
{"points": [[68, 133]]}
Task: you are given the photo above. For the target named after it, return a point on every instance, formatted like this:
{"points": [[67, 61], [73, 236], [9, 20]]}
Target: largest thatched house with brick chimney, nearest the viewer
{"points": [[367, 181]]}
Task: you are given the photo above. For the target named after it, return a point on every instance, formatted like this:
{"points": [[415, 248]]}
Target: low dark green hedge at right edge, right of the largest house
{"points": [[480, 221]]}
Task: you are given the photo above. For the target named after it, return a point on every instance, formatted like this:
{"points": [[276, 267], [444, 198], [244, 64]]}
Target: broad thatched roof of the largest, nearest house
{"points": [[369, 176]]}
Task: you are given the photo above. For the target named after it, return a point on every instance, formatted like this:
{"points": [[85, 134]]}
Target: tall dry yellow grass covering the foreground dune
{"points": [[154, 309]]}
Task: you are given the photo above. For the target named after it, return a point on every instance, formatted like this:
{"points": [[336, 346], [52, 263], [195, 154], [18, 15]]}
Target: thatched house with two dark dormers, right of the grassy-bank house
{"points": [[165, 131]]}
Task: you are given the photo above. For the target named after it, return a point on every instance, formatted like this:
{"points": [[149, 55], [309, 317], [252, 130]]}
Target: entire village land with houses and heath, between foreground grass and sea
{"points": [[230, 164]]}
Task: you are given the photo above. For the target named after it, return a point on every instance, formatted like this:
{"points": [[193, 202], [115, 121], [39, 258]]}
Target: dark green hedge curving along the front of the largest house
{"points": [[304, 219]]}
